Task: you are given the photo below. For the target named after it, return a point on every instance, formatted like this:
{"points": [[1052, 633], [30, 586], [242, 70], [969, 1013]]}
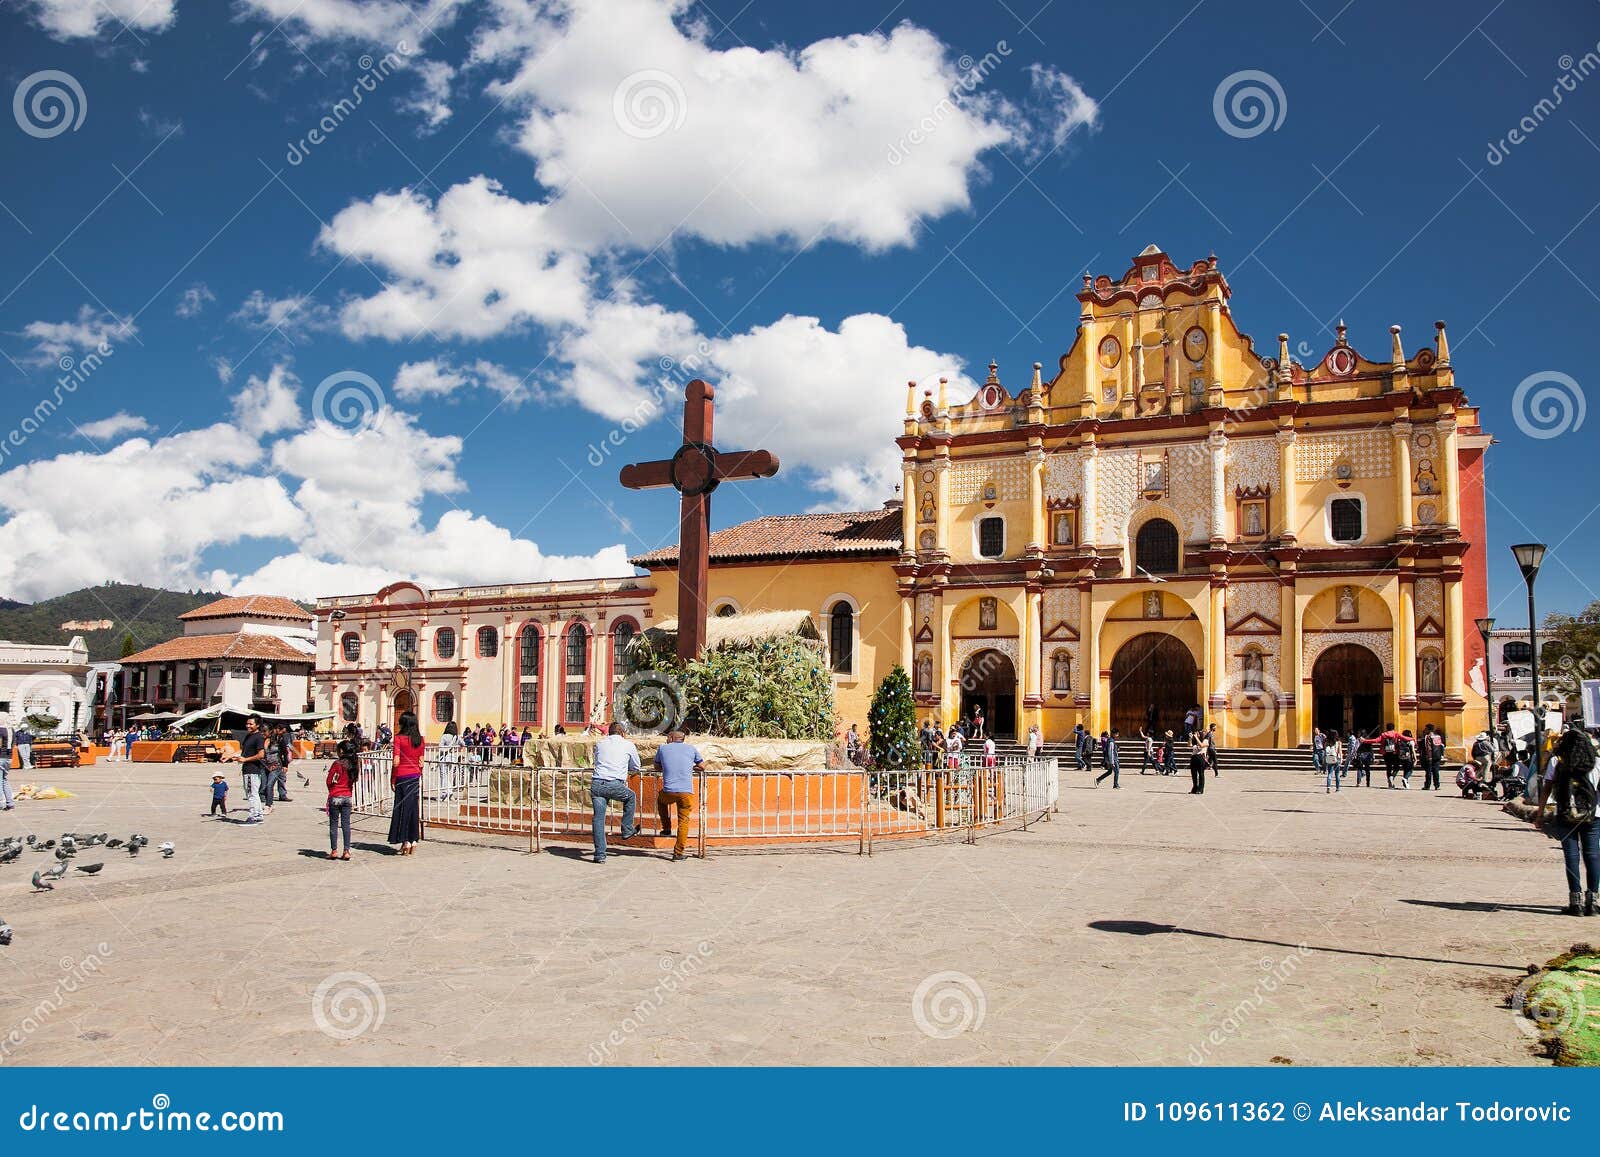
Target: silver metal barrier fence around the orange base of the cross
{"points": [[481, 790]]}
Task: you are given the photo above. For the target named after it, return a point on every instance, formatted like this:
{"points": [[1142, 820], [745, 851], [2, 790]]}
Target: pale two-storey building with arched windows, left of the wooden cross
{"points": [[532, 655]]}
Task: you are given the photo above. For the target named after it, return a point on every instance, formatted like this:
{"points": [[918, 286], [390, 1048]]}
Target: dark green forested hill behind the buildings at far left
{"points": [[146, 614]]}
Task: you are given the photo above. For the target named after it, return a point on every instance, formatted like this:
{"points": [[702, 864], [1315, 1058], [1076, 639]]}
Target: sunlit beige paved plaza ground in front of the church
{"points": [[1266, 923]]}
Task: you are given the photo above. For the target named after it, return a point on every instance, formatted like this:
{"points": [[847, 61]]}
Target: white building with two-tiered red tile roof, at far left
{"points": [[247, 654]]}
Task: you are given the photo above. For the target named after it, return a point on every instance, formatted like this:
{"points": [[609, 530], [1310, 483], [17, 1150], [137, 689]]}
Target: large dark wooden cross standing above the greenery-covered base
{"points": [[697, 471]]}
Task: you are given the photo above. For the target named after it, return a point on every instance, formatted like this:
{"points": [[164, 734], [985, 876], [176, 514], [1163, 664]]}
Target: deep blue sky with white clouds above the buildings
{"points": [[540, 218]]}
